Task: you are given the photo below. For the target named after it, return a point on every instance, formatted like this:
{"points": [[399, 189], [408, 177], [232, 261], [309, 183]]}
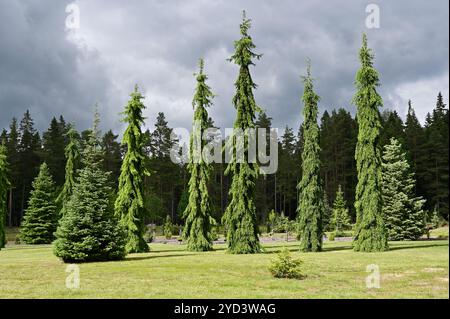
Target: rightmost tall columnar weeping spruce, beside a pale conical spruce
{"points": [[370, 232]]}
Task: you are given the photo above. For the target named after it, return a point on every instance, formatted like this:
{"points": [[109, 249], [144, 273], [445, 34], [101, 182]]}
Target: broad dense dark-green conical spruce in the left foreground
{"points": [[89, 231]]}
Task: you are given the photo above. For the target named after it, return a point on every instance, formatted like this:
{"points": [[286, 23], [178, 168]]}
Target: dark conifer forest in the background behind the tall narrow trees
{"points": [[166, 190]]}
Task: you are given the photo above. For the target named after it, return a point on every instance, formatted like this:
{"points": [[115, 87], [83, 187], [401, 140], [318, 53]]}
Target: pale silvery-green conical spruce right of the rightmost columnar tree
{"points": [[403, 212]]}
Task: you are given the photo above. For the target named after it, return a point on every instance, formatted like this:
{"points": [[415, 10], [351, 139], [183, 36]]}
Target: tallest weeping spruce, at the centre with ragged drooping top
{"points": [[240, 216]]}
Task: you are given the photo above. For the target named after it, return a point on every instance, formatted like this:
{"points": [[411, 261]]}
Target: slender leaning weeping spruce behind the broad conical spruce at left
{"points": [[72, 153]]}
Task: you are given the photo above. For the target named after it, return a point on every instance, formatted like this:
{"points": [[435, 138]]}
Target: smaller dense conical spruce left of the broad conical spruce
{"points": [[40, 220]]}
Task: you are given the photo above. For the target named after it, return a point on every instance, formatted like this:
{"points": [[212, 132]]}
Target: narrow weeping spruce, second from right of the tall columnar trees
{"points": [[310, 201]]}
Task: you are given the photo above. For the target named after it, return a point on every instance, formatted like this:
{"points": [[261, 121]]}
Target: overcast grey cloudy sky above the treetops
{"points": [[52, 70]]}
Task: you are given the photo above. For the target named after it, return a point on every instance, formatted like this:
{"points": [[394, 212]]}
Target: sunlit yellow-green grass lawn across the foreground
{"points": [[409, 270]]}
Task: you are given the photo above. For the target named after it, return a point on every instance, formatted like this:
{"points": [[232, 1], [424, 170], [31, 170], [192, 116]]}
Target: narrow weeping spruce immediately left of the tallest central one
{"points": [[197, 229]]}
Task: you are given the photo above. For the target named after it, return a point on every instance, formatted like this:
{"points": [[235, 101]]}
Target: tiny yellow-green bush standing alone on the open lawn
{"points": [[284, 266]]}
